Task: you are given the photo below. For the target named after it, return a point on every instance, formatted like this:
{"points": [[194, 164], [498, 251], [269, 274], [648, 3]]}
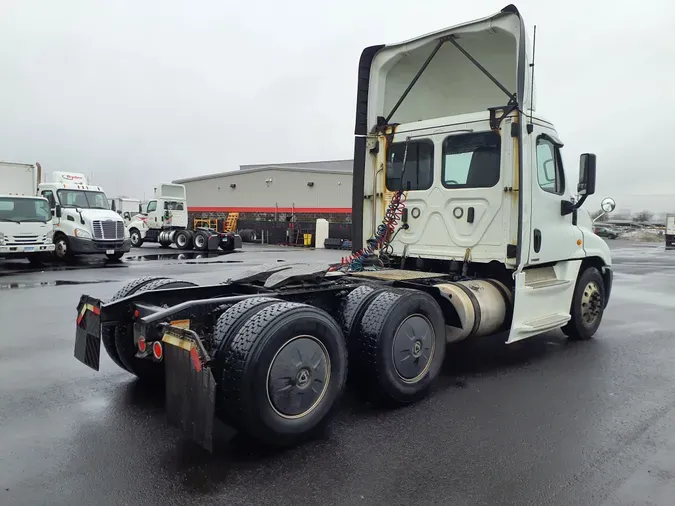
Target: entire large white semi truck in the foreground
{"points": [[464, 227]]}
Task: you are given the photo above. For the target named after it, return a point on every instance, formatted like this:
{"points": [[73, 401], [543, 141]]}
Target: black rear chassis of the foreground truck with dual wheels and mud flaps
{"points": [[266, 351]]}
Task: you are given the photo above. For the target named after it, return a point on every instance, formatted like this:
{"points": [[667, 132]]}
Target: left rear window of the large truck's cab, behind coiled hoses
{"points": [[419, 165]]}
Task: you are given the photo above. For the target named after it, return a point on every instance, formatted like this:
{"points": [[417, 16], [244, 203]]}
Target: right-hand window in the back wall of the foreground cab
{"points": [[471, 160]]}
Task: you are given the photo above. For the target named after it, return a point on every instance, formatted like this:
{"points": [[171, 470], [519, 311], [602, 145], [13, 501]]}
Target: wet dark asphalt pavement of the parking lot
{"points": [[542, 422]]}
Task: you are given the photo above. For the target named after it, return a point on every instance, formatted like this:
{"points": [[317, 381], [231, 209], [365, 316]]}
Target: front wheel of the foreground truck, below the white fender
{"points": [[586, 301]]}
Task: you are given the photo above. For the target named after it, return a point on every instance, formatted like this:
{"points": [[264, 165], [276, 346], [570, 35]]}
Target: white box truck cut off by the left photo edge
{"points": [[26, 227]]}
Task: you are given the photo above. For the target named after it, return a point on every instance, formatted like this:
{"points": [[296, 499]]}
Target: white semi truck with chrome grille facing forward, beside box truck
{"points": [[83, 221]]}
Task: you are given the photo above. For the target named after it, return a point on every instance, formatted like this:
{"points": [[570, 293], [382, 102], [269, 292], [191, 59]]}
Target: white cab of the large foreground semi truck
{"points": [[455, 170]]}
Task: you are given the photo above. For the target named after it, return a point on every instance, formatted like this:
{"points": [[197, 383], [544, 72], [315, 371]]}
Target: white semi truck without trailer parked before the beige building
{"points": [[165, 221]]}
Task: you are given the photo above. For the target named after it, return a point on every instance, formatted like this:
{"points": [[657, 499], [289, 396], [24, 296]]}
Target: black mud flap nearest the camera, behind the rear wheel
{"points": [[190, 387]]}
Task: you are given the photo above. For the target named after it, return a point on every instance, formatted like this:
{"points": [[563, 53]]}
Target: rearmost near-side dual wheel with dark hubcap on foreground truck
{"points": [[268, 345]]}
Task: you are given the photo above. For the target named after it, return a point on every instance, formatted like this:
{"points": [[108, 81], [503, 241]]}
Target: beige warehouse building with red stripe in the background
{"points": [[260, 195]]}
